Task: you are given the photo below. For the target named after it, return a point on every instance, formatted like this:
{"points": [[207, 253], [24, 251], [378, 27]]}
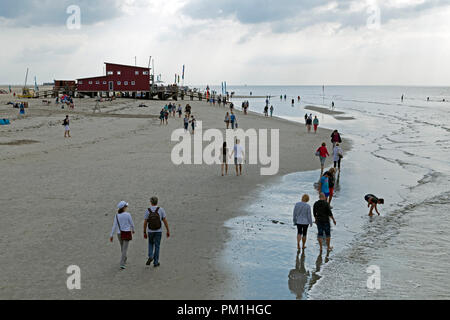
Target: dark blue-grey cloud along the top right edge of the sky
{"points": [[293, 15]]}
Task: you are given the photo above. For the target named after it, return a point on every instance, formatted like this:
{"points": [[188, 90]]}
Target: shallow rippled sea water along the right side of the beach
{"points": [[401, 152]]}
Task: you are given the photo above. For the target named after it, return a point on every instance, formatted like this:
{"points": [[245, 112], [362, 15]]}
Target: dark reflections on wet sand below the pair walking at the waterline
{"points": [[301, 280]]}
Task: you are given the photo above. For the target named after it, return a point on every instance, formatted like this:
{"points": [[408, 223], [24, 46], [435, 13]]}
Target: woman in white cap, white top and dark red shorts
{"points": [[124, 225]]}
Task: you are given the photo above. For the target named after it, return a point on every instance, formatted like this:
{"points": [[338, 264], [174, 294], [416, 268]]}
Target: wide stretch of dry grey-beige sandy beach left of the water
{"points": [[60, 197]]}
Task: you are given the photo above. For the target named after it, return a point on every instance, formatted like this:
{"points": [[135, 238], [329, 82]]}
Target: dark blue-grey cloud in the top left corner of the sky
{"points": [[28, 13]]}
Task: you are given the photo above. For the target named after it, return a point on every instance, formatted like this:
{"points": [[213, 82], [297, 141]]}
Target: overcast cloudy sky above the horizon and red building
{"points": [[253, 42]]}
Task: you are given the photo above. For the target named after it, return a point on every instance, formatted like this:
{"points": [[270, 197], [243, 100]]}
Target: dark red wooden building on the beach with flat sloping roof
{"points": [[118, 78]]}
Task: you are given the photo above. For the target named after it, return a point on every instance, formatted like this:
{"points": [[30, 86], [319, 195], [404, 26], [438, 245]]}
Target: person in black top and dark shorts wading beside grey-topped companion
{"points": [[322, 215]]}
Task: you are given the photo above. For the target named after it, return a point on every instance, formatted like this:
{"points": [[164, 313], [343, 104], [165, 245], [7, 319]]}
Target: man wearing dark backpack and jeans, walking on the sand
{"points": [[153, 220]]}
